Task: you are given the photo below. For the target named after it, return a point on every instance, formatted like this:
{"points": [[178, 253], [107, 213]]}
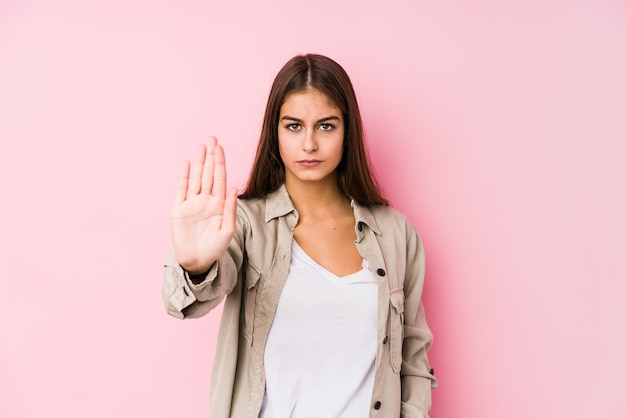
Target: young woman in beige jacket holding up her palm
{"points": [[322, 279]]}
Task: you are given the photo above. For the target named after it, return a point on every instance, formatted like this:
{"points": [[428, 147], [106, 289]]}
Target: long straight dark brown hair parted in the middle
{"points": [[325, 75]]}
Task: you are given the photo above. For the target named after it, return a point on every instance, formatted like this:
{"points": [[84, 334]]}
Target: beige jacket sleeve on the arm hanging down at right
{"points": [[416, 374]]}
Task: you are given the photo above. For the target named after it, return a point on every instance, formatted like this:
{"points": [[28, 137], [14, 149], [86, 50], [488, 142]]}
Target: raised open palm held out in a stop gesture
{"points": [[204, 214]]}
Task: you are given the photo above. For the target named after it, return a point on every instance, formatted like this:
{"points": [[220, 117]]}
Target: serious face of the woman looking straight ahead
{"points": [[310, 137]]}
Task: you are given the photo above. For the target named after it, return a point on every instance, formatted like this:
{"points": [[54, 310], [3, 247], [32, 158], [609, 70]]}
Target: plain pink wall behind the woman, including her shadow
{"points": [[499, 128]]}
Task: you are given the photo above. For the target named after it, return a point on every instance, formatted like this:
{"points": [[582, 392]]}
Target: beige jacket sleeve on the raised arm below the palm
{"points": [[186, 299]]}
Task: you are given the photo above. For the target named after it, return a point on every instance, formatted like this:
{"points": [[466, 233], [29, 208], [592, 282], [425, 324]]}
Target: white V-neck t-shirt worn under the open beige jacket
{"points": [[321, 348]]}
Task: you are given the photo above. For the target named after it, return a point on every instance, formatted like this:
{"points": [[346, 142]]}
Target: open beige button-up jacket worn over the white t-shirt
{"points": [[252, 274]]}
